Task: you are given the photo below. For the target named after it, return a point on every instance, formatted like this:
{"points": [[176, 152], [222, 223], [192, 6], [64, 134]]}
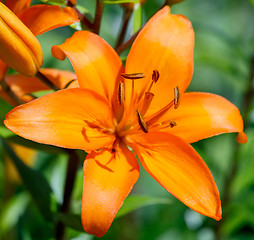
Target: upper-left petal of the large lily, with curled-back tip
{"points": [[95, 62]]}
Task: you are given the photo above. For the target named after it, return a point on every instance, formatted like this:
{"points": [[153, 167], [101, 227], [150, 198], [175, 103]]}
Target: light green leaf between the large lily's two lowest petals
{"points": [[132, 203]]}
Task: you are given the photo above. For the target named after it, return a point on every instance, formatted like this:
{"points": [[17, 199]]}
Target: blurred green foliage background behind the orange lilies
{"points": [[224, 53]]}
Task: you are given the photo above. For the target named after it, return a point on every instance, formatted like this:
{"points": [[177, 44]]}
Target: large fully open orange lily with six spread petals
{"points": [[144, 112]]}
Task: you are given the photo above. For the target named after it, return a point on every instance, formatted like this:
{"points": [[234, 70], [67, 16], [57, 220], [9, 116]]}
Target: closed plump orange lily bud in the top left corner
{"points": [[19, 48]]}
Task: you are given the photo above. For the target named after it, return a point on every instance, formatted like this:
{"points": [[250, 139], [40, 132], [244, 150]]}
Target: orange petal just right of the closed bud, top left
{"points": [[42, 18]]}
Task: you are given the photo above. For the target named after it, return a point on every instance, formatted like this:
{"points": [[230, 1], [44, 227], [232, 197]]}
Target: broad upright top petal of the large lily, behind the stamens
{"points": [[164, 44]]}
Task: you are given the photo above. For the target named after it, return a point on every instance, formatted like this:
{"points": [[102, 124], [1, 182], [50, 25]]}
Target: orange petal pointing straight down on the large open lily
{"points": [[108, 178]]}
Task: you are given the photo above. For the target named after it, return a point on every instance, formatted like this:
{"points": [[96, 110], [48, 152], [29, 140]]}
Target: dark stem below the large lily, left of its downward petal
{"points": [[73, 163]]}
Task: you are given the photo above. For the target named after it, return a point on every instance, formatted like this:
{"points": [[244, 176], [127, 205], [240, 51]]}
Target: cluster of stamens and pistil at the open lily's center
{"points": [[133, 115]]}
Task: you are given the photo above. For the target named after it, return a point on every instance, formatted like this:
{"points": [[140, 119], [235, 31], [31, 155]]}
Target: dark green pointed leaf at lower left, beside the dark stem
{"points": [[35, 183]]}
